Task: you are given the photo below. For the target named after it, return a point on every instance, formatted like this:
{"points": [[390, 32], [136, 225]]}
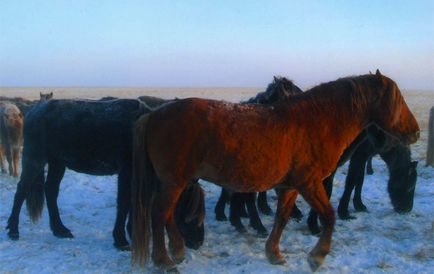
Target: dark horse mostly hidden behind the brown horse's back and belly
{"points": [[279, 88]]}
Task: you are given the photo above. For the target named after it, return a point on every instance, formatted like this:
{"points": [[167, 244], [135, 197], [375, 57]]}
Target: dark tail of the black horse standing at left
{"points": [[36, 197]]}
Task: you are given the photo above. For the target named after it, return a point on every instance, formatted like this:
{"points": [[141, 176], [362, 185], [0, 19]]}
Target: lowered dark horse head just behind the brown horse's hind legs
{"points": [[190, 215]]}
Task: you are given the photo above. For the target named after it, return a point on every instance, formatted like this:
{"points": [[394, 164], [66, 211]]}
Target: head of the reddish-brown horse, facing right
{"points": [[390, 111]]}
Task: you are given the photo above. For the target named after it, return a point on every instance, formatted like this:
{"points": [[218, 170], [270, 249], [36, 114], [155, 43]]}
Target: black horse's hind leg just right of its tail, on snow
{"points": [[54, 177]]}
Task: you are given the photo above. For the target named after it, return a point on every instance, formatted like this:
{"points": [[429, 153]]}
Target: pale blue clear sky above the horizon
{"points": [[213, 43]]}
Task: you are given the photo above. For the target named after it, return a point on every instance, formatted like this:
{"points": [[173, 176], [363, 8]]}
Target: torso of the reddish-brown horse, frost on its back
{"points": [[221, 142]]}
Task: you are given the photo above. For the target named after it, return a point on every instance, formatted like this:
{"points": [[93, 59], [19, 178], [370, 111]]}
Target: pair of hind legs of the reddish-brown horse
{"points": [[163, 209]]}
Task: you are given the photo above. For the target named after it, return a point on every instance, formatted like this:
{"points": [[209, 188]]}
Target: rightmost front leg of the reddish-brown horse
{"points": [[317, 199]]}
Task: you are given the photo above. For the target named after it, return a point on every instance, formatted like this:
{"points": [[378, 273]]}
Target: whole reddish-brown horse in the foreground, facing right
{"points": [[290, 145]]}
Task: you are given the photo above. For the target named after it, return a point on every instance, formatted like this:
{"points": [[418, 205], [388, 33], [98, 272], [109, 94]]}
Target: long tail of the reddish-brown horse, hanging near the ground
{"points": [[143, 189]]}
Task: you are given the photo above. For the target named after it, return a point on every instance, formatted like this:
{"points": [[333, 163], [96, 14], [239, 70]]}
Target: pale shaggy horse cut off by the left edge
{"points": [[11, 136]]}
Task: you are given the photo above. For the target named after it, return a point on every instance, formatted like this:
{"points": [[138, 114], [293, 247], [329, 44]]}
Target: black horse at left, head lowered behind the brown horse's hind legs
{"points": [[92, 137]]}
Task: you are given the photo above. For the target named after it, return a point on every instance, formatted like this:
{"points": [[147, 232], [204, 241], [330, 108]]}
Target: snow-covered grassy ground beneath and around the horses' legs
{"points": [[376, 242]]}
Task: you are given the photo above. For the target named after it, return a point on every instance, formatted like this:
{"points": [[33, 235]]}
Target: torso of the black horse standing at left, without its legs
{"points": [[93, 137]]}
